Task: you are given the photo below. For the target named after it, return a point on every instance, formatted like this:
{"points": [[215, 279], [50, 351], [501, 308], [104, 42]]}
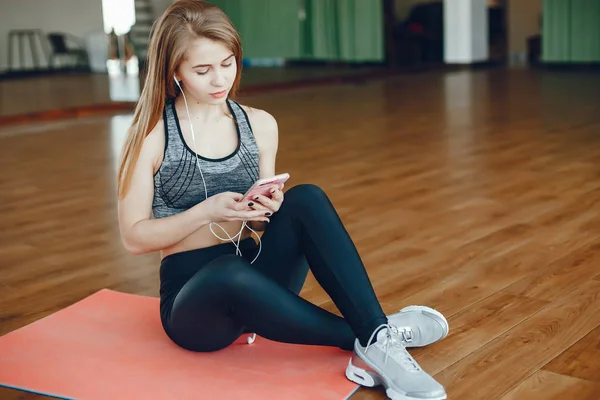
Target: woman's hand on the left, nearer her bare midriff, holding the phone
{"points": [[225, 207]]}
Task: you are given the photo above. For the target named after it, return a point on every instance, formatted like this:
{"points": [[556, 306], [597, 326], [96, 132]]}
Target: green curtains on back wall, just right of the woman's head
{"points": [[338, 30]]}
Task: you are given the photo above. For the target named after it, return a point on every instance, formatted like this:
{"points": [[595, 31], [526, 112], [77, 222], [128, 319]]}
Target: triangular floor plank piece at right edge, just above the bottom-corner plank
{"points": [[582, 360]]}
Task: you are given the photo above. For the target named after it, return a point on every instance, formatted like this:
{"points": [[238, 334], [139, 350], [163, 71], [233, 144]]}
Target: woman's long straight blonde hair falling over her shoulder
{"points": [[182, 22]]}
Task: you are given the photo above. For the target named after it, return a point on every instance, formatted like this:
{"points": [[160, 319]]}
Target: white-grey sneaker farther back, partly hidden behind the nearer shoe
{"points": [[419, 325]]}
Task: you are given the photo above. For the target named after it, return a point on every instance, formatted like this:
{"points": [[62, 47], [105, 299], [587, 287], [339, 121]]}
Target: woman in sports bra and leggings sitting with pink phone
{"points": [[190, 154]]}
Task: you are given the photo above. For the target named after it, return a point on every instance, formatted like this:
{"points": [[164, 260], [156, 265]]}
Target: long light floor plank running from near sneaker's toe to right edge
{"points": [[518, 353]]}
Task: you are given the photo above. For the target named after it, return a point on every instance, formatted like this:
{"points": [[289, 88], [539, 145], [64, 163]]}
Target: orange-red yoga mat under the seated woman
{"points": [[110, 345]]}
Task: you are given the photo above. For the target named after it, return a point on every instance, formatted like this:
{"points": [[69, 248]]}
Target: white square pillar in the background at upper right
{"points": [[465, 31]]}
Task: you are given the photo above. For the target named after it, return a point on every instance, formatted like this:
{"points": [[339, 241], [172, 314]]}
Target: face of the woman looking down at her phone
{"points": [[208, 71]]}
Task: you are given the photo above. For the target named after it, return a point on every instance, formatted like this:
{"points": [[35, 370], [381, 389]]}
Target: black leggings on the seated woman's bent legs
{"points": [[210, 296]]}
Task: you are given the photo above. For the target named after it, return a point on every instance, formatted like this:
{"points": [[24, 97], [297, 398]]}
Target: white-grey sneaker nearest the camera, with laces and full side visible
{"points": [[386, 362]]}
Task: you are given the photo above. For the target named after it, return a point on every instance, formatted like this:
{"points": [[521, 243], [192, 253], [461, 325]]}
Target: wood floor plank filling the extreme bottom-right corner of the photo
{"points": [[550, 386]]}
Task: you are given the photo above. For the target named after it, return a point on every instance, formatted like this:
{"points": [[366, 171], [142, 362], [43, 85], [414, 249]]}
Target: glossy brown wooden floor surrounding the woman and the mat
{"points": [[477, 193]]}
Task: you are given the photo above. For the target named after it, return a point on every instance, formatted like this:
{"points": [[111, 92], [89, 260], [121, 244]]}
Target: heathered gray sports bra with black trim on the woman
{"points": [[178, 184]]}
